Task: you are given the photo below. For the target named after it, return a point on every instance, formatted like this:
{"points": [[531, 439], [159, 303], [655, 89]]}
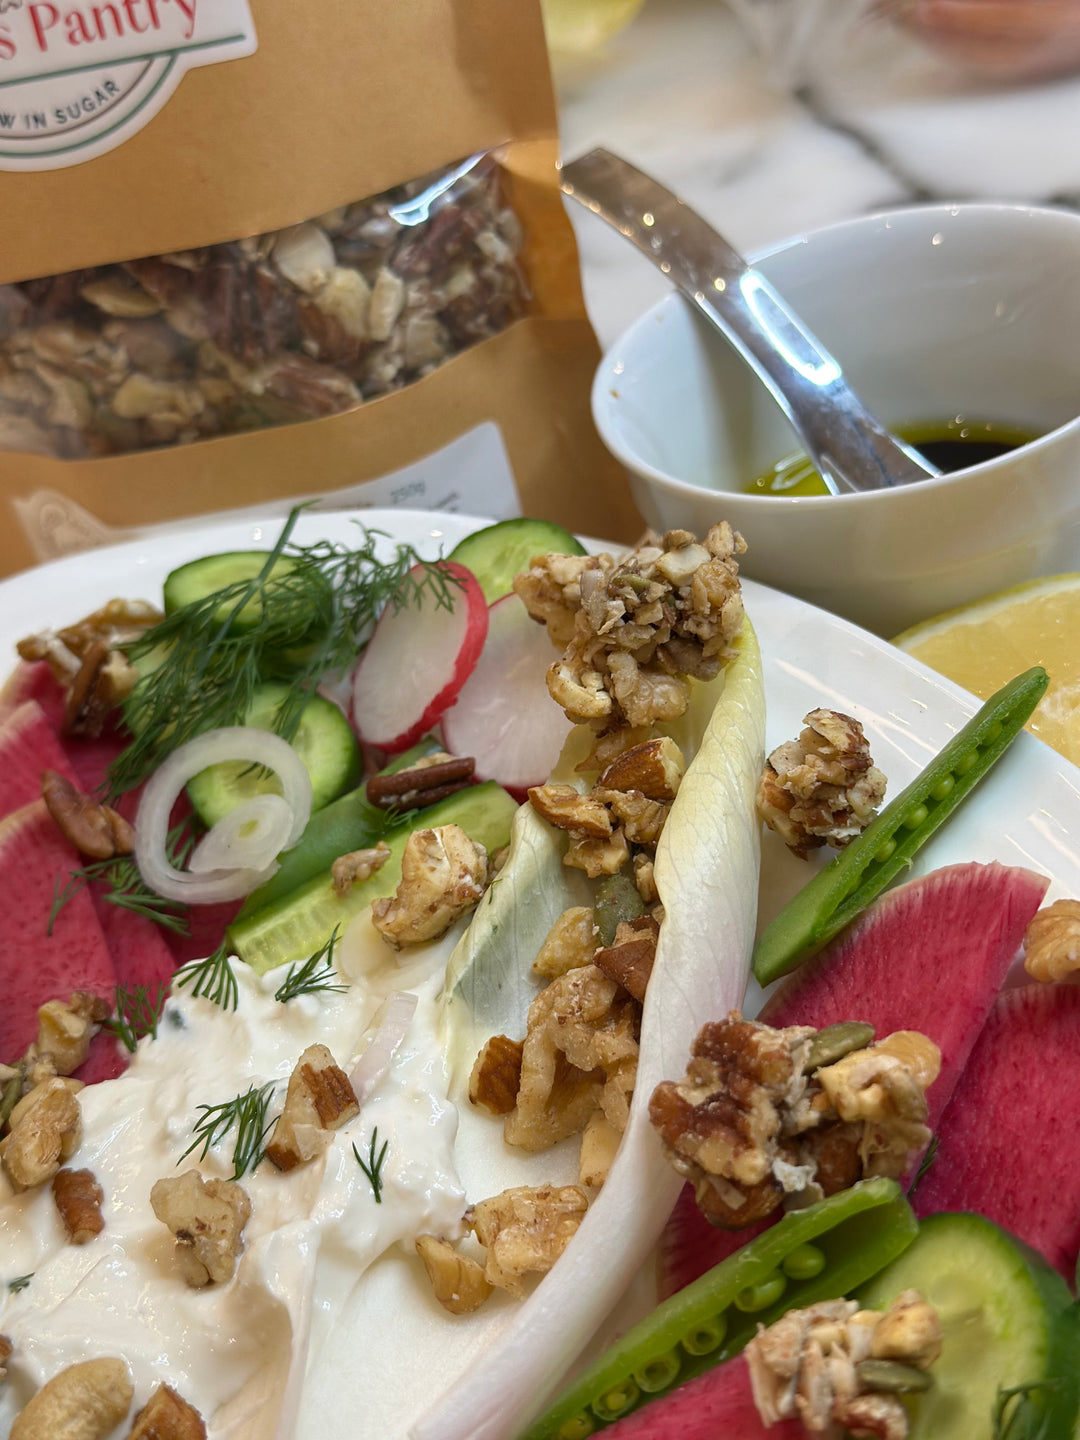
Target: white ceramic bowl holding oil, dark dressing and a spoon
{"points": [[934, 312]]}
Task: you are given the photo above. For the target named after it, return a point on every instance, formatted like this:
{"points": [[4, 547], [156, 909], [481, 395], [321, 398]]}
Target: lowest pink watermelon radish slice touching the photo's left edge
{"points": [[35, 967]]}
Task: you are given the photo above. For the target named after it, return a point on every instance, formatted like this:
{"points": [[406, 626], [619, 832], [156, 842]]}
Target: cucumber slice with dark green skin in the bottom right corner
{"points": [[1007, 1318]]}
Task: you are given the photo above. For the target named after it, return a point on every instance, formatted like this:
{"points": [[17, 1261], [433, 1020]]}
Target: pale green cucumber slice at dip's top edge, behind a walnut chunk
{"points": [[302, 922]]}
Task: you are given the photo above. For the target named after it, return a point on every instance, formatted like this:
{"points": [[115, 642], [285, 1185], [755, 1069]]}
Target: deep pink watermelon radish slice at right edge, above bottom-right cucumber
{"points": [[1009, 1146]]}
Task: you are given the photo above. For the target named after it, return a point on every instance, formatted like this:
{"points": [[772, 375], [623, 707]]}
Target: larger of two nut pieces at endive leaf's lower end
{"points": [[525, 1230]]}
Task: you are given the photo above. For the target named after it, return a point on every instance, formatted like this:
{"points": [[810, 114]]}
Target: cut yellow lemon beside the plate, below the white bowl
{"points": [[987, 643]]}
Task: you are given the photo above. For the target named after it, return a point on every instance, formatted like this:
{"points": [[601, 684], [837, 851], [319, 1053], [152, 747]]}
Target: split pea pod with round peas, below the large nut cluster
{"points": [[811, 1255]]}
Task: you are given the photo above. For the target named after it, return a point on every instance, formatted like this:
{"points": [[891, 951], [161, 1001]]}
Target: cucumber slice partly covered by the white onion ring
{"points": [[325, 742]]}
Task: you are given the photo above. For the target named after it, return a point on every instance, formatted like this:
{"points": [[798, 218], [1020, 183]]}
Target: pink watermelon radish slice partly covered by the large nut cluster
{"points": [[931, 955]]}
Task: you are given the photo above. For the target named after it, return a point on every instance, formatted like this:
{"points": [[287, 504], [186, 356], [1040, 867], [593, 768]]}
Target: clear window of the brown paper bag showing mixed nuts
{"points": [[287, 326]]}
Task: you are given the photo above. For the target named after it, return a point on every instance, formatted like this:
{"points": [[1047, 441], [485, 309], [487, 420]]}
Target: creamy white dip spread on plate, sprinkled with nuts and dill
{"points": [[230, 1349]]}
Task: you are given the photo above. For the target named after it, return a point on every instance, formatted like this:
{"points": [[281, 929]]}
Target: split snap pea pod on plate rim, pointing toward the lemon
{"points": [[860, 873]]}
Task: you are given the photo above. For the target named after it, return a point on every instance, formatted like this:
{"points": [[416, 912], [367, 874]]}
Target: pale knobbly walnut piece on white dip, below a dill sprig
{"points": [[208, 1219]]}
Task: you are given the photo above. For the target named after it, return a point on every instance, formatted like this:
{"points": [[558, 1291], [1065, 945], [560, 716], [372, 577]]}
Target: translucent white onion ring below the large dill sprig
{"points": [[155, 810]]}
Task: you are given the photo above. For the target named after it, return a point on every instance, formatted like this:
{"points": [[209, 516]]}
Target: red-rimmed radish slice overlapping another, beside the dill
{"points": [[417, 662]]}
